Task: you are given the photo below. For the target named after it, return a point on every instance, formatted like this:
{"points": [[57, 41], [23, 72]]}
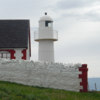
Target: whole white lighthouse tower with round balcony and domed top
{"points": [[46, 37]]}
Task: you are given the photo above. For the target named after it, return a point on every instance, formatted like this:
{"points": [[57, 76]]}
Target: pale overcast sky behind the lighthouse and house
{"points": [[77, 23]]}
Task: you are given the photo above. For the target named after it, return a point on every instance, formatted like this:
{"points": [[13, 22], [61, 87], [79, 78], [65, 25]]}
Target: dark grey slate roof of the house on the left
{"points": [[14, 33]]}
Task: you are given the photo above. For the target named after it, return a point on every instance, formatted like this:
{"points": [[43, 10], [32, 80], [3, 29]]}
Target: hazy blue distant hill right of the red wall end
{"points": [[92, 82]]}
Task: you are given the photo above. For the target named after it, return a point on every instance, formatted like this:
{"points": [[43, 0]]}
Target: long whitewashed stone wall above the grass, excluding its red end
{"points": [[48, 75]]}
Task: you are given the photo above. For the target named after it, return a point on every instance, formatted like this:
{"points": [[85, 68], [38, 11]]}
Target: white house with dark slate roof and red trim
{"points": [[15, 39]]}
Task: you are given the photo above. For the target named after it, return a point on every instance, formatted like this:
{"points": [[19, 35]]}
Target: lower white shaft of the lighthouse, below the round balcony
{"points": [[46, 50]]}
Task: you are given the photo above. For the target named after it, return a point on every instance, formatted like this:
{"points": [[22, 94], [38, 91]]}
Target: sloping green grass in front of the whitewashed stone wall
{"points": [[12, 91]]}
